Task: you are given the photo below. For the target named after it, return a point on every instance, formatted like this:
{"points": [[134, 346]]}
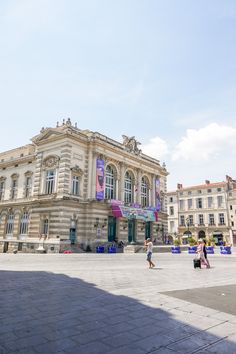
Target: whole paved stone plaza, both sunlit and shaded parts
{"points": [[112, 303]]}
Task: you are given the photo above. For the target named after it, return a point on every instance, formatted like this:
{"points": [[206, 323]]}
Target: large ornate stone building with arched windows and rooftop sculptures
{"points": [[73, 186]]}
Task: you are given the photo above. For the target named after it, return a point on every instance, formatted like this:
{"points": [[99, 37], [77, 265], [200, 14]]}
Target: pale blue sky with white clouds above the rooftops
{"points": [[163, 71]]}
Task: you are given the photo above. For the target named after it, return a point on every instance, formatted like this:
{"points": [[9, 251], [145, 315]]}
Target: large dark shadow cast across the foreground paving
{"points": [[47, 313]]}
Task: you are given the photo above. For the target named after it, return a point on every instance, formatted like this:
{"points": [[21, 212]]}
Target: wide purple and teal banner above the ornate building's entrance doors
{"points": [[133, 213]]}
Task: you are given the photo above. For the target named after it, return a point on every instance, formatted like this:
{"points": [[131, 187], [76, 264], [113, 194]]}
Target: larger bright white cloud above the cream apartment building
{"points": [[205, 143]]}
